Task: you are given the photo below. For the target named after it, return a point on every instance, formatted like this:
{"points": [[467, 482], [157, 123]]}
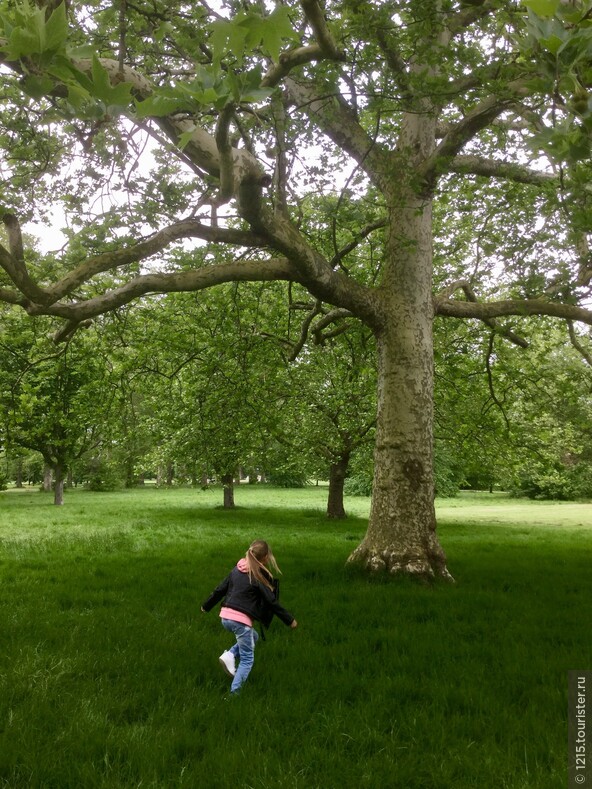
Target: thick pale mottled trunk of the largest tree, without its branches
{"points": [[401, 536]]}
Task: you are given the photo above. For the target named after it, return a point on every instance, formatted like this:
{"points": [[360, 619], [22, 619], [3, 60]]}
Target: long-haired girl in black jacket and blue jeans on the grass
{"points": [[249, 593]]}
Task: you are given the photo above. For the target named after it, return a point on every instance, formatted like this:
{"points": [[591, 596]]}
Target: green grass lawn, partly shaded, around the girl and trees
{"points": [[109, 675]]}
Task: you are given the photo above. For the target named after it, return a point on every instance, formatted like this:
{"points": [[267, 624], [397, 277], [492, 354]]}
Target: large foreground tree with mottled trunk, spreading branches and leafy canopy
{"points": [[396, 107]]}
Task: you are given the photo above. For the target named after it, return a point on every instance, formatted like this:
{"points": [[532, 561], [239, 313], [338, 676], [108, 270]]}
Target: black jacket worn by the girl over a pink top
{"points": [[251, 598]]}
